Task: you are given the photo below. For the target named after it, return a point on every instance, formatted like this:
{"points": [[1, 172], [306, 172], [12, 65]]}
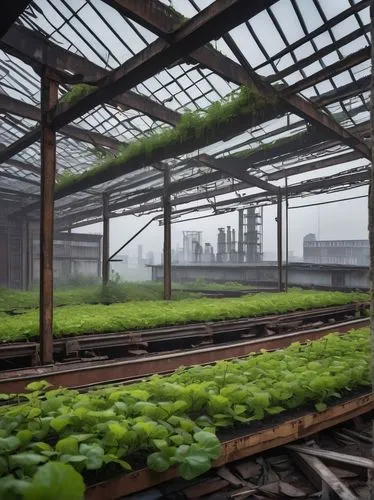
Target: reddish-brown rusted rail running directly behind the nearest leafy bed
{"points": [[83, 374]]}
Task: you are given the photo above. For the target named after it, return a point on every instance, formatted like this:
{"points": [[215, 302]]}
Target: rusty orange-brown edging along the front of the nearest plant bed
{"points": [[243, 445]]}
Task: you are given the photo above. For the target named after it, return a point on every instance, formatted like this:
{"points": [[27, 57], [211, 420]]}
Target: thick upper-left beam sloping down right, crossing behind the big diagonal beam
{"points": [[28, 46]]}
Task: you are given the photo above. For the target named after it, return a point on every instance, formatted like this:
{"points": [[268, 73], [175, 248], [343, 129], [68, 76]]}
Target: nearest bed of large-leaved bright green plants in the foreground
{"points": [[52, 437]]}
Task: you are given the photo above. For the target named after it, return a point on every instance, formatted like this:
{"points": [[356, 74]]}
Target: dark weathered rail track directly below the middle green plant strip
{"points": [[181, 336]]}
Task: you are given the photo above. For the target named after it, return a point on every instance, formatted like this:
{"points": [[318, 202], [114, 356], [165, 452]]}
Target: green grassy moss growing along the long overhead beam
{"points": [[191, 126]]}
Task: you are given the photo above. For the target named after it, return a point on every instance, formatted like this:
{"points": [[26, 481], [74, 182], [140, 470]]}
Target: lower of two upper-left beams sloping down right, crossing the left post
{"points": [[14, 106]]}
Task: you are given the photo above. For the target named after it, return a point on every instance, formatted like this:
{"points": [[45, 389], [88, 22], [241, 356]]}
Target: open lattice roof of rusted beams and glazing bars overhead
{"points": [[151, 61]]}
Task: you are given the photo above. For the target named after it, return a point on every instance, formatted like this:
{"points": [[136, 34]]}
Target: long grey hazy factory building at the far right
{"points": [[346, 252]]}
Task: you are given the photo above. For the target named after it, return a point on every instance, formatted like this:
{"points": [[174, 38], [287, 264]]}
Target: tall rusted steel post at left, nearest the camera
{"points": [[49, 95]]}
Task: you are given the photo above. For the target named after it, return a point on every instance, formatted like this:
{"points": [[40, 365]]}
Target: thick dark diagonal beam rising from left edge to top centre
{"points": [[210, 23]]}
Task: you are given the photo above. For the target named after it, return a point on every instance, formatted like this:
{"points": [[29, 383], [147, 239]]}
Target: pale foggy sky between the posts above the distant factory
{"points": [[342, 220]]}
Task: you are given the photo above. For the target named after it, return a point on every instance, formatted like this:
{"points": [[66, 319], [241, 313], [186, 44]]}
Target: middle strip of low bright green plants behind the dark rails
{"points": [[86, 319]]}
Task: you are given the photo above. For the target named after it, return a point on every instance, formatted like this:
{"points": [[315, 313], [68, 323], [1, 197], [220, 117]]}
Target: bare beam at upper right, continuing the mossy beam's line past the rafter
{"points": [[331, 70]]}
